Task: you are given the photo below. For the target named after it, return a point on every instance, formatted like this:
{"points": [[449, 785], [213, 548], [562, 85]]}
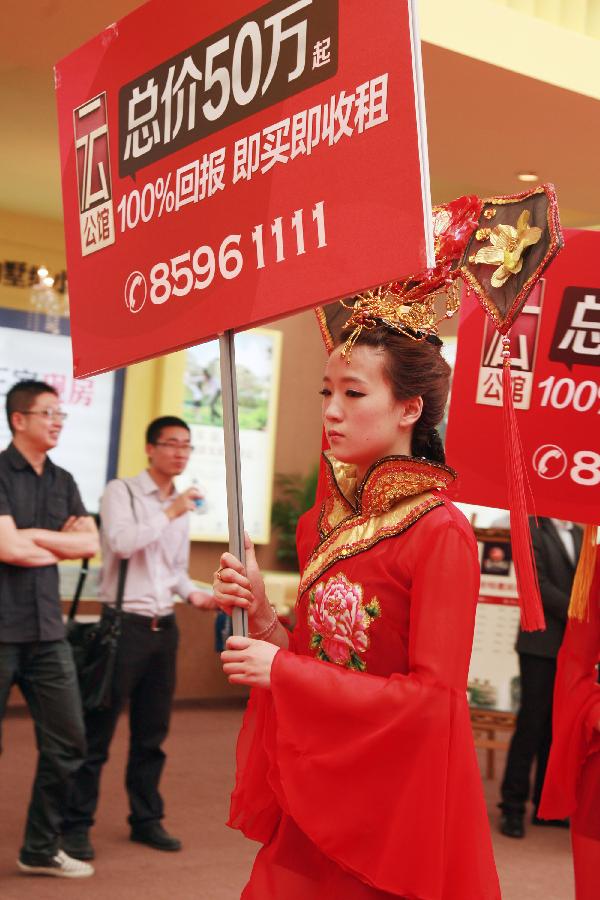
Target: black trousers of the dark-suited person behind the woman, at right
{"points": [[533, 734]]}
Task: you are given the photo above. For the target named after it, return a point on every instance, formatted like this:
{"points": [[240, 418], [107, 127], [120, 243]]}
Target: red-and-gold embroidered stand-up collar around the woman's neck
{"points": [[386, 483]]}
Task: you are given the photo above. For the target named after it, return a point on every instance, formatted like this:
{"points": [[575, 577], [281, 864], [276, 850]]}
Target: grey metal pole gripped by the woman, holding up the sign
{"points": [[231, 437]]}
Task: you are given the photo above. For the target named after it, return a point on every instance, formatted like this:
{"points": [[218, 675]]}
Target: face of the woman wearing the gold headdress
{"points": [[362, 419]]}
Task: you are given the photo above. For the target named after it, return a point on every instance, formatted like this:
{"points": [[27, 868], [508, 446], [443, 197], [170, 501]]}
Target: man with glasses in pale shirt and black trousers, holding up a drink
{"points": [[145, 521]]}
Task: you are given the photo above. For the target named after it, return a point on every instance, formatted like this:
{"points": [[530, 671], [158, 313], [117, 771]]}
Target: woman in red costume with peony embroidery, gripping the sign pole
{"points": [[356, 765]]}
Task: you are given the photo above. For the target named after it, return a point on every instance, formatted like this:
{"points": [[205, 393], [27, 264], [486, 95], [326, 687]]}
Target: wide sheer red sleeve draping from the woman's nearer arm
{"points": [[380, 773]]}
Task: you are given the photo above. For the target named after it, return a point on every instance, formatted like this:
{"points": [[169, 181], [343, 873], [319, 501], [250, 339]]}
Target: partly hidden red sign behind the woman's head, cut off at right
{"points": [[555, 345]]}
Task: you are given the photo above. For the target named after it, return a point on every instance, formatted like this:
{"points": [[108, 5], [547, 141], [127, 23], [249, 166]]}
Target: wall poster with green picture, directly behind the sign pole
{"points": [[257, 355]]}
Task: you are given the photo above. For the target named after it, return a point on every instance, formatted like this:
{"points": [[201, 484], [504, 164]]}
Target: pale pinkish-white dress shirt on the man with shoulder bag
{"points": [[158, 548]]}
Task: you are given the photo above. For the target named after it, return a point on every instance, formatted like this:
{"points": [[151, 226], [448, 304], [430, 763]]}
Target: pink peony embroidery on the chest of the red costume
{"points": [[340, 621]]}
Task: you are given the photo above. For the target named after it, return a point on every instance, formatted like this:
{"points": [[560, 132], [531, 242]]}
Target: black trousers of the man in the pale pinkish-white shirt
{"points": [[144, 677]]}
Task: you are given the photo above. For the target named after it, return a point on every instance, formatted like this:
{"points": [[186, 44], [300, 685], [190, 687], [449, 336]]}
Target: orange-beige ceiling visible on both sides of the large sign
{"points": [[485, 123]]}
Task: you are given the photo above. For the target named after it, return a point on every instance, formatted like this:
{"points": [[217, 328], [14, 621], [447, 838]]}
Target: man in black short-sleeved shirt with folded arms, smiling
{"points": [[42, 521]]}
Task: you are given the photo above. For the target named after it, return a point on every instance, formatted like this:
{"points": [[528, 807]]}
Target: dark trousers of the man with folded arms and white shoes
{"points": [[45, 674]]}
